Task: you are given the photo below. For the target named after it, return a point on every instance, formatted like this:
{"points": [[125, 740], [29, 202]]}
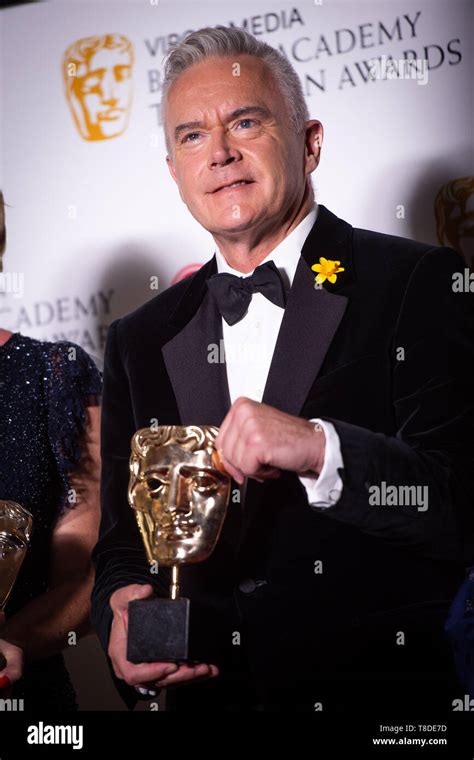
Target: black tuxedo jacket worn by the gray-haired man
{"points": [[387, 355]]}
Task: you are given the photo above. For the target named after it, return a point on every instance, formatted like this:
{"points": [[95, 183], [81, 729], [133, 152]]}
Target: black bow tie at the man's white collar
{"points": [[233, 294]]}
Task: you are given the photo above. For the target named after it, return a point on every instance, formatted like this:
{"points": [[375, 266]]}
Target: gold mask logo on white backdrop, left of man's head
{"points": [[97, 74]]}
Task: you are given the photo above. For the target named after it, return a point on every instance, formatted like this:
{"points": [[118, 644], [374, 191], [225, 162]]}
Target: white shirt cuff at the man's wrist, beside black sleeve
{"points": [[325, 491]]}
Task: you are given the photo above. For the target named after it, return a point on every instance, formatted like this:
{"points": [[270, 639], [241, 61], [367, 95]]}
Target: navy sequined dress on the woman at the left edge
{"points": [[44, 391]]}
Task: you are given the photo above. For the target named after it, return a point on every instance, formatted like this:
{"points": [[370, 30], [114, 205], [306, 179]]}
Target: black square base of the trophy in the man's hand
{"points": [[158, 630]]}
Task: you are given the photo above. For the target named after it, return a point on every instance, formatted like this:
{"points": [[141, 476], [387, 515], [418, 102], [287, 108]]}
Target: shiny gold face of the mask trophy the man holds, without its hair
{"points": [[184, 498]]}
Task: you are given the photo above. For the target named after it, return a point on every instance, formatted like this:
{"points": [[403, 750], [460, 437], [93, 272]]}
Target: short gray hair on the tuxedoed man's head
{"points": [[228, 42]]}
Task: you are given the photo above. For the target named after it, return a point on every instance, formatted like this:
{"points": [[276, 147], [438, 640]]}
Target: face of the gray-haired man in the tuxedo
{"points": [[220, 146]]}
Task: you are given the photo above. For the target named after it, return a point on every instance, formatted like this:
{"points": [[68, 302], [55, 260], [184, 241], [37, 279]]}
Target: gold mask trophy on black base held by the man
{"points": [[179, 491]]}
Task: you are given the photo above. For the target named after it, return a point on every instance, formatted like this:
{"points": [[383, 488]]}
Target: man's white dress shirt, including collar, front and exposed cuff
{"points": [[249, 345]]}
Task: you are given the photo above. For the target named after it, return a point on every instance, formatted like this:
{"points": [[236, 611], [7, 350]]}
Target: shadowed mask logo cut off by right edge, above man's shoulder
{"points": [[454, 210]]}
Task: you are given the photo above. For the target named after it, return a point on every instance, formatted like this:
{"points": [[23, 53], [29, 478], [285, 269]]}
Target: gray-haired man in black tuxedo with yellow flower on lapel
{"points": [[315, 599]]}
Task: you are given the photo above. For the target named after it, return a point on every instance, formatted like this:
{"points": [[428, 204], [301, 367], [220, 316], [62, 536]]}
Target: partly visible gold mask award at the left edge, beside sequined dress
{"points": [[15, 531]]}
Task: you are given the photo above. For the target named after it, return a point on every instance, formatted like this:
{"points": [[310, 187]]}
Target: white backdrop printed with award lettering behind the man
{"points": [[89, 222]]}
